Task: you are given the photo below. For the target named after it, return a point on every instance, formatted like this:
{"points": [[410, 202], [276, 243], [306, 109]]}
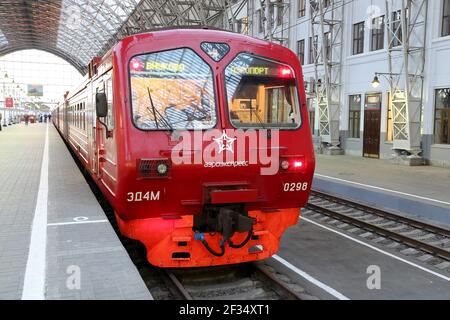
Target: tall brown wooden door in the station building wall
{"points": [[372, 124]]}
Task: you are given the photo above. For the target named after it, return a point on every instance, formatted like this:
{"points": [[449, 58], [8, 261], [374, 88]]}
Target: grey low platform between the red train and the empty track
{"points": [[342, 262]]}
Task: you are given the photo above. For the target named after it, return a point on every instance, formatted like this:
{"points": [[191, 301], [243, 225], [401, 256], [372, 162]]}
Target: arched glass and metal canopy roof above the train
{"points": [[78, 30]]}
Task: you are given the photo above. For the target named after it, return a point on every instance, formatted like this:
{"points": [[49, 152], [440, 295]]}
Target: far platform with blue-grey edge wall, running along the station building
{"points": [[419, 192]]}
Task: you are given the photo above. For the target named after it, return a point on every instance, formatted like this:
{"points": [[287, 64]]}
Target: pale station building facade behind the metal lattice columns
{"points": [[365, 112]]}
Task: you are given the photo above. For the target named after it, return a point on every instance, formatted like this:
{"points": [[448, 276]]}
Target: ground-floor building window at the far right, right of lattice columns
{"points": [[442, 117]]}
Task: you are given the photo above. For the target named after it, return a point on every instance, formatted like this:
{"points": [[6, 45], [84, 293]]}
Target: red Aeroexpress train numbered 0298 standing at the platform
{"points": [[200, 141]]}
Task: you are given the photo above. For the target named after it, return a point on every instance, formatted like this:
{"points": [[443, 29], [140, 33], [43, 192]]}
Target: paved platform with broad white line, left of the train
{"points": [[55, 240]]}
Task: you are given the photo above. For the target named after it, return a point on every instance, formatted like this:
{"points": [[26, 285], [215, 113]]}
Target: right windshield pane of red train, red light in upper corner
{"points": [[261, 93]]}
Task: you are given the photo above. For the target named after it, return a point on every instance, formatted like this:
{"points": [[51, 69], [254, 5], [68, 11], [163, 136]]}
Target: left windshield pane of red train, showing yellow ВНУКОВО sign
{"points": [[172, 90]]}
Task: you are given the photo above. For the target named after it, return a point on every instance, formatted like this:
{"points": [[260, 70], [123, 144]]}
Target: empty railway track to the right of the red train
{"points": [[428, 243]]}
